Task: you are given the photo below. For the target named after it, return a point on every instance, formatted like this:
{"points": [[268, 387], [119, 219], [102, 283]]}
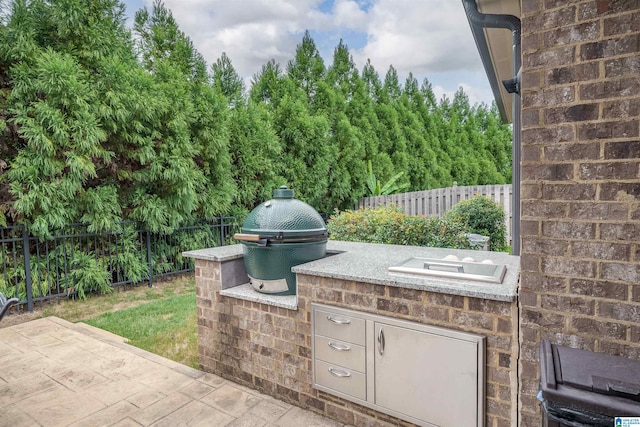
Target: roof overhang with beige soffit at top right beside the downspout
{"points": [[495, 46]]}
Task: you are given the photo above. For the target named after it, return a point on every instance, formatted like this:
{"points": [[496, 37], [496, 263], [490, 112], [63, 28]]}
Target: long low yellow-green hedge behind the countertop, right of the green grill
{"points": [[389, 225]]}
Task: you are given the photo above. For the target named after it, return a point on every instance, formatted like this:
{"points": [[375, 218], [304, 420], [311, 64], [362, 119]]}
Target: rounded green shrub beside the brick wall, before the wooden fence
{"points": [[482, 216]]}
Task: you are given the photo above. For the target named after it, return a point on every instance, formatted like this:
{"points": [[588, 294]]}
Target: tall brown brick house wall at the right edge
{"points": [[580, 280]]}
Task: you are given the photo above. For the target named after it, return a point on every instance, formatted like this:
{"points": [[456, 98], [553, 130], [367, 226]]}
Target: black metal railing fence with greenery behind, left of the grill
{"points": [[76, 258]]}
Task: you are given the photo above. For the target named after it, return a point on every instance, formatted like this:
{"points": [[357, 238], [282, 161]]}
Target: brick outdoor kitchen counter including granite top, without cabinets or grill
{"points": [[268, 347]]}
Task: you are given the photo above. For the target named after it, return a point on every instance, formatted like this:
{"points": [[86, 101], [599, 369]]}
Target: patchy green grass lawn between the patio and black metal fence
{"points": [[161, 319]]}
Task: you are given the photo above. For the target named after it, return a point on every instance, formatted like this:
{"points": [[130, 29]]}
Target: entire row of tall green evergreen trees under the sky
{"points": [[100, 122]]}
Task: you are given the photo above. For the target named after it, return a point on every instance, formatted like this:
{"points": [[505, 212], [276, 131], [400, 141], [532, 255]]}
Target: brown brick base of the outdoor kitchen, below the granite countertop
{"points": [[269, 348]]}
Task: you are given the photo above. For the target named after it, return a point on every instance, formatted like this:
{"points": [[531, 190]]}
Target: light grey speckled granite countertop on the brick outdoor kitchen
{"points": [[369, 263]]}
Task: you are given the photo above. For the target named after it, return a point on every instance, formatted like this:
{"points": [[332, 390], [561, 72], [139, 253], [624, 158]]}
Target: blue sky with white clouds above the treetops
{"points": [[429, 38]]}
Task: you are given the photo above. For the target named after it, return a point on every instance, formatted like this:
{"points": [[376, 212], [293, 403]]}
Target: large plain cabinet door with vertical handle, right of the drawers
{"points": [[427, 376]]}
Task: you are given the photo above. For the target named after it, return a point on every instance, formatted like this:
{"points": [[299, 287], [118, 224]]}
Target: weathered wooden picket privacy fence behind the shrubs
{"points": [[438, 201]]}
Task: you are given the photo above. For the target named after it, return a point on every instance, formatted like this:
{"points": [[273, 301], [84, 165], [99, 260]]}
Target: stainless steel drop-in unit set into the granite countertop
{"points": [[478, 271]]}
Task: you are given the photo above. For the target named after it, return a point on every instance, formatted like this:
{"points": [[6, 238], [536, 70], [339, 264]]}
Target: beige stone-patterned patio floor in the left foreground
{"points": [[57, 373]]}
